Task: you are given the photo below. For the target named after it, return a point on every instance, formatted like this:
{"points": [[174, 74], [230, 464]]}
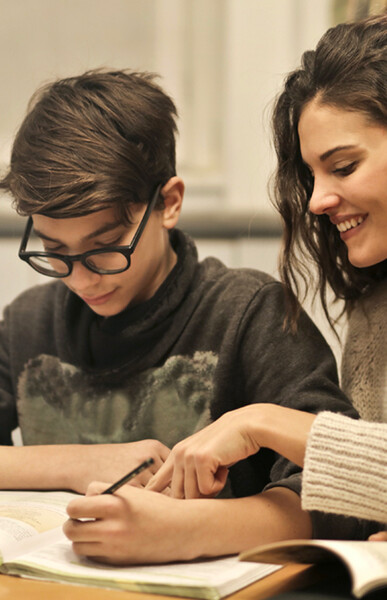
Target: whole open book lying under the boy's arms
{"points": [[33, 545]]}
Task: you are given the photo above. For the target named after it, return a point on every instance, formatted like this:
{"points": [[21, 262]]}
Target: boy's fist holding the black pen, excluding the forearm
{"points": [[130, 526]]}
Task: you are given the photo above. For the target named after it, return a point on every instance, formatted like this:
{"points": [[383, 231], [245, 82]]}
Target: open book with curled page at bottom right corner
{"points": [[366, 562]]}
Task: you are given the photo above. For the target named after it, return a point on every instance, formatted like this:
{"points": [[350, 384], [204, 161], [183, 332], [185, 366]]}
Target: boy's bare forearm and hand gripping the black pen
{"points": [[136, 526]]}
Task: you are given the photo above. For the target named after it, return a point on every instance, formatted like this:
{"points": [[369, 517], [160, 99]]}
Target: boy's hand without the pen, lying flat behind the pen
{"points": [[110, 462]]}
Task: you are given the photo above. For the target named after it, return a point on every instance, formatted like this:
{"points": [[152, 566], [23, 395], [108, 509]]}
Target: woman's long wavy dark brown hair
{"points": [[347, 70]]}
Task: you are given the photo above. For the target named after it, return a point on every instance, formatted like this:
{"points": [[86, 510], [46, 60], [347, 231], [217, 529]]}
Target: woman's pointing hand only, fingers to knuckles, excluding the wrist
{"points": [[198, 466]]}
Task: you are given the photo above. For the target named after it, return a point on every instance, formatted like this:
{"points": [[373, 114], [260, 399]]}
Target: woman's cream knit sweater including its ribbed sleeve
{"points": [[345, 468]]}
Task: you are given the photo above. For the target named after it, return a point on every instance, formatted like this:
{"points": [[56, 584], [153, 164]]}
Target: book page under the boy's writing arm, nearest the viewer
{"points": [[196, 578]]}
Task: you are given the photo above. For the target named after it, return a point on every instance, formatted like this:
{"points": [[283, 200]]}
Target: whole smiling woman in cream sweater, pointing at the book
{"points": [[330, 132]]}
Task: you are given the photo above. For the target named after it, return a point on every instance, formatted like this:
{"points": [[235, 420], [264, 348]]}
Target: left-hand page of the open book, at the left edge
{"points": [[28, 516]]}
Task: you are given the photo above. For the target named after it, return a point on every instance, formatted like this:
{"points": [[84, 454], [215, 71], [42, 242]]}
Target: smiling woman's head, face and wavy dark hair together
{"points": [[334, 100]]}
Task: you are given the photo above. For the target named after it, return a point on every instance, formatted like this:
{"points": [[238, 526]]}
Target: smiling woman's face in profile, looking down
{"points": [[347, 156]]}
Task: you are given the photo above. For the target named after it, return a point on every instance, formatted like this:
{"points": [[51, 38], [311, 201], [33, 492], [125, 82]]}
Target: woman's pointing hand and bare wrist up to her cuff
{"points": [[198, 466]]}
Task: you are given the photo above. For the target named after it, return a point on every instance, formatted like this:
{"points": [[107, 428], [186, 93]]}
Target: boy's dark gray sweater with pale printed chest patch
{"points": [[210, 340]]}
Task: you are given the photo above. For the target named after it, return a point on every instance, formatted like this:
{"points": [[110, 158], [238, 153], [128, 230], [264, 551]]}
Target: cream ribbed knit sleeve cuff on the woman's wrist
{"points": [[345, 470]]}
